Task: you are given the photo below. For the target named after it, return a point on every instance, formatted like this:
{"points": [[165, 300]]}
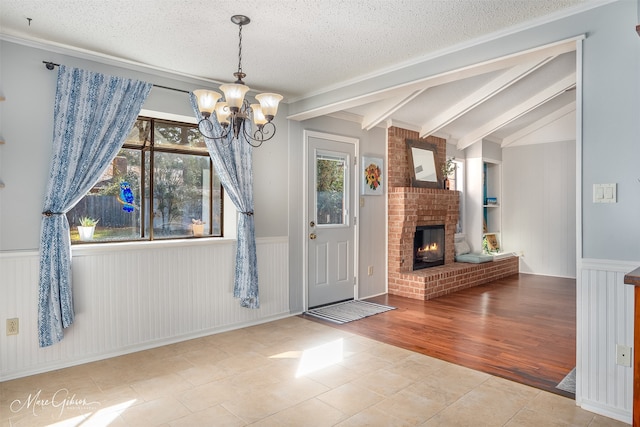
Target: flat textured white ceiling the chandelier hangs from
{"points": [[291, 46]]}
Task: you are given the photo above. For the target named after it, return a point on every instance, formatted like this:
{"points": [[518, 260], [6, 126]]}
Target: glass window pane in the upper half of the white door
{"points": [[330, 195]]}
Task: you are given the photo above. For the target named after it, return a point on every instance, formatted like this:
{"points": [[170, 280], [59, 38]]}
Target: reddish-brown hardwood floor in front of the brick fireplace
{"points": [[522, 328]]}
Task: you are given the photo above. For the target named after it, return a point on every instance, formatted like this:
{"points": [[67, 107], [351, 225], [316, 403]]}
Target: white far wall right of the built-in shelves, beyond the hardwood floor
{"points": [[539, 207]]}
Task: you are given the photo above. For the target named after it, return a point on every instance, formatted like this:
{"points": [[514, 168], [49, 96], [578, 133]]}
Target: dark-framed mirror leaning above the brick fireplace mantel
{"points": [[422, 157]]}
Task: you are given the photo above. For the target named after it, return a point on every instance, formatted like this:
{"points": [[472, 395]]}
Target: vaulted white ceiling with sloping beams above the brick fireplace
{"points": [[523, 99]]}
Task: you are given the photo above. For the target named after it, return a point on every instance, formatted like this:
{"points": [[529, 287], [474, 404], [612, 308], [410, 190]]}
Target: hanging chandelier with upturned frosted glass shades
{"points": [[234, 111]]}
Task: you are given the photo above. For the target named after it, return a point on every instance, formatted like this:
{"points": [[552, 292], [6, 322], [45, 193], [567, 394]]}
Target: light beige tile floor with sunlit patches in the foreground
{"points": [[291, 372]]}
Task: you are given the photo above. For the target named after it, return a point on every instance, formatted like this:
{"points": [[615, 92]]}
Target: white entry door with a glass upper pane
{"points": [[330, 219]]}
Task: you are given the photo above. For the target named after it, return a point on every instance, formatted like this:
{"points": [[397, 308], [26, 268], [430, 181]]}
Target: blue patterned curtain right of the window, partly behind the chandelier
{"points": [[232, 161]]}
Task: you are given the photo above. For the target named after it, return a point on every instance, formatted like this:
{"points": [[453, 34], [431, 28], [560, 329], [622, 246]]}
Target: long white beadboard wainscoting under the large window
{"points": [[131, 297]]}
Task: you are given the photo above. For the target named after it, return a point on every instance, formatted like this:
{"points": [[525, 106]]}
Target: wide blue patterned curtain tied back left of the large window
{"points": [[93, 115]]}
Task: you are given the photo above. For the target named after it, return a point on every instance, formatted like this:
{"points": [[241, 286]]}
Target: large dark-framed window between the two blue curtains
{"points": [[161, 183]]}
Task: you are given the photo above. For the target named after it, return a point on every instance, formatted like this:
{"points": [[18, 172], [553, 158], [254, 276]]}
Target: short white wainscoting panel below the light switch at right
{"points": [[604, 319]]}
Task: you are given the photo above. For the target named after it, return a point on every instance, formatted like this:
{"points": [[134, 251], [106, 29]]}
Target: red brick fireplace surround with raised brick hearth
{"points": [[411, 207]]}
